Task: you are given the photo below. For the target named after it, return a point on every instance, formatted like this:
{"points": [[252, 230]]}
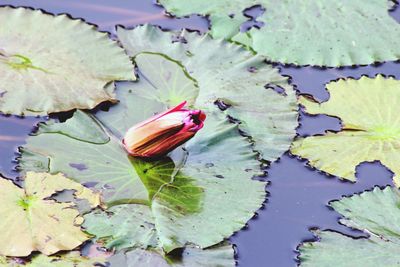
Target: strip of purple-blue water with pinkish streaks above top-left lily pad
{"points": [[106, 14]]}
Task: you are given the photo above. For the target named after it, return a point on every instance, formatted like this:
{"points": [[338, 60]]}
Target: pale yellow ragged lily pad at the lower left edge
{"points": [[35, 222]]}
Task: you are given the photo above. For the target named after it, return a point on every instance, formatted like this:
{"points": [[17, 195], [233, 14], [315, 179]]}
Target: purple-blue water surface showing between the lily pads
{"points": [[298, 194]]}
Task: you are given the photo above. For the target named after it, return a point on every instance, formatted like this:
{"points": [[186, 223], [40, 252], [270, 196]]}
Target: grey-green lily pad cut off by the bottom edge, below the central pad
{"points": [[222, 255]]}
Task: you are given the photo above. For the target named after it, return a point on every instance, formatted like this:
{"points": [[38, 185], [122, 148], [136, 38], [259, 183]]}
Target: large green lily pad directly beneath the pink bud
{"points": [[201, 195]]}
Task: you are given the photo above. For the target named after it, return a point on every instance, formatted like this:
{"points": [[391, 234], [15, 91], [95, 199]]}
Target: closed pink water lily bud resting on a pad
{"points": [[163, 132]]}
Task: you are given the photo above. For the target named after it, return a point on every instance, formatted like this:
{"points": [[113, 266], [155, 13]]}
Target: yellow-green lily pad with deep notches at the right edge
{"points": [[368, 109]]}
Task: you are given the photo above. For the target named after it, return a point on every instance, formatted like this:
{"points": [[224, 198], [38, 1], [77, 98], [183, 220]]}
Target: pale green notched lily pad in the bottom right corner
{"points": [[376, 213]]}
